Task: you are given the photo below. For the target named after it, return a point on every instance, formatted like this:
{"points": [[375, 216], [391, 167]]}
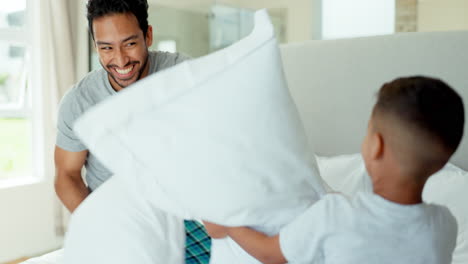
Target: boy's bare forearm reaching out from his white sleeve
{"points": [[262, 247]]}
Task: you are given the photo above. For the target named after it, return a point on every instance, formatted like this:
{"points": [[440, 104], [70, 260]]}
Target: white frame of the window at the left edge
{"points": [[31, 108]]}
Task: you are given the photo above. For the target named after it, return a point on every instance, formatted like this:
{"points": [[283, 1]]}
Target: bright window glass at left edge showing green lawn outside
{"points": [[15, 103]]}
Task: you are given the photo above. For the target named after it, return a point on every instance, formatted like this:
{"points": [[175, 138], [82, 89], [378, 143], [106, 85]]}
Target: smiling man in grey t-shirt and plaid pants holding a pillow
{"points": [[121, 36]]}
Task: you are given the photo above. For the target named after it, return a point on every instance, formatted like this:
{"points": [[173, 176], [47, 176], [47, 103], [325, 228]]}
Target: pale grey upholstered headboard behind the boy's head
{"points": [[334, 82]]}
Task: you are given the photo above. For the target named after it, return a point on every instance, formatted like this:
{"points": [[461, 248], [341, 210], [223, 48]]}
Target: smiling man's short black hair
{"points": [[99, 8]]}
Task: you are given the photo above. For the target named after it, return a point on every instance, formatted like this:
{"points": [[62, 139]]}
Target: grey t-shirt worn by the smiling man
{"points": [[92, 89]]}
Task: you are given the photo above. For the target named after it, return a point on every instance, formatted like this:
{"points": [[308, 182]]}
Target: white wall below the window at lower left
{"points": [[27, 221]]}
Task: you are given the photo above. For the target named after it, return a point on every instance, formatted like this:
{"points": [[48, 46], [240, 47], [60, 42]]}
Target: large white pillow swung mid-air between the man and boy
{"points": [[216, 138]]}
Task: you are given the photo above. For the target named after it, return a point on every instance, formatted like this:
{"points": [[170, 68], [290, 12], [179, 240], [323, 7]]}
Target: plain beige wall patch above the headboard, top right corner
{"points": [[442, 15]]}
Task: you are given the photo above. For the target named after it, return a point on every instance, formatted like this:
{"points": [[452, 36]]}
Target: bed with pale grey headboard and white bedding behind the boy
{"points": [[333, 83]]}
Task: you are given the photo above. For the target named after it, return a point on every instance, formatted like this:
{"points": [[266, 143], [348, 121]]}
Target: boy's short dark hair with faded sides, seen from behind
{"points": [[426, 103]]}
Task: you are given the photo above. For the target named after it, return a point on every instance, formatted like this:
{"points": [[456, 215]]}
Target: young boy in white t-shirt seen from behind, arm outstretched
{"points": [[415, 126]]}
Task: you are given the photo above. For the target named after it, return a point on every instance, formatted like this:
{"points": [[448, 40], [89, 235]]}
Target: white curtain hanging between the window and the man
{"points": [[57, 74]]}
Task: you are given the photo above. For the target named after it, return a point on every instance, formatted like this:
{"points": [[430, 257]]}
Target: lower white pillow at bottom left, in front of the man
{"points": [[116, 225]]}
